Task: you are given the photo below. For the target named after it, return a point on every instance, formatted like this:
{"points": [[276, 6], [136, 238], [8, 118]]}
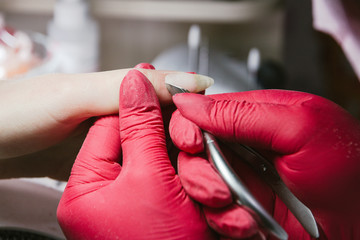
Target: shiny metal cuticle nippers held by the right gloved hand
{"points": [[267, 171]]}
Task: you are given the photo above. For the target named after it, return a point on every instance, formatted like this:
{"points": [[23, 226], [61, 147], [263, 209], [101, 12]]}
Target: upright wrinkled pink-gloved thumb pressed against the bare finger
{"points": [[141, 126]]}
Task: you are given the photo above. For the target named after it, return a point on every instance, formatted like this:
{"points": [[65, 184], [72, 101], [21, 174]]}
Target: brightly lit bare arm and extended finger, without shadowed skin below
{"points": [[44, 110]]}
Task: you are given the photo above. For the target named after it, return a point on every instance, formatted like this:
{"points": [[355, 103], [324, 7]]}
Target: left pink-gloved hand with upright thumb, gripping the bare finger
{"points": [[140, 199]]}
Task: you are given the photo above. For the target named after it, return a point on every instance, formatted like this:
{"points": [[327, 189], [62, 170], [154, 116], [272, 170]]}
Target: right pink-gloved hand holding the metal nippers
{"points": [[313, 143]]}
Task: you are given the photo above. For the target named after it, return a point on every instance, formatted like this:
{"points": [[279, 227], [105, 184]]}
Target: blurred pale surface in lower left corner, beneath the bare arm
{"points": [[29, 205]]}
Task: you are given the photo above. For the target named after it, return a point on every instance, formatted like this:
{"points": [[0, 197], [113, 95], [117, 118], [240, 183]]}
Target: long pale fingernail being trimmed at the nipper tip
{"points": [[191, 82]]}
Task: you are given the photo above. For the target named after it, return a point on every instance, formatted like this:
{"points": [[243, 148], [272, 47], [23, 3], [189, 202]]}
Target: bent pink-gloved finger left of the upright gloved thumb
{"points": [[100, 153]]}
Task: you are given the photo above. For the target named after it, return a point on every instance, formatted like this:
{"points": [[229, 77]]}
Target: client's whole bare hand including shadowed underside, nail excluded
{"points": [[43, 120]]}
